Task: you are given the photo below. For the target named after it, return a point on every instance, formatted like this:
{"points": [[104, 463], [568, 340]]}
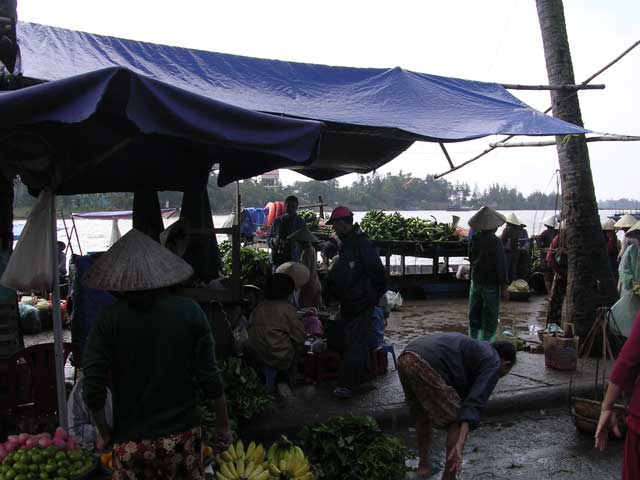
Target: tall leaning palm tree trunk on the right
{"points": [[590, 280]]}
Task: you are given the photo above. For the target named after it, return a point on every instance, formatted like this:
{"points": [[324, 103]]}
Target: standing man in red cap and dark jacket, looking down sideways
{"points": [[357, 281]]}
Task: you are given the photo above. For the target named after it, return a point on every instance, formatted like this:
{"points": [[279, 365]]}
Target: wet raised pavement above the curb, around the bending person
{"points": [[530, 386]]}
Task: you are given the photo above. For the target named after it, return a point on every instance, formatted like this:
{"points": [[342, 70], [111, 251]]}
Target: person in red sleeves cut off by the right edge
{"points": [[625, 376]]}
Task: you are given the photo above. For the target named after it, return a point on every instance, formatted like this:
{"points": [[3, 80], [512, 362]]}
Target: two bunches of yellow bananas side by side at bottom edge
{"points": [[283, 461]]}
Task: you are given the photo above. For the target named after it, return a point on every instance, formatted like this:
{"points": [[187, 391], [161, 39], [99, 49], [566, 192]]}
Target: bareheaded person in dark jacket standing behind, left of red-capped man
{"points": [[283, 248]]}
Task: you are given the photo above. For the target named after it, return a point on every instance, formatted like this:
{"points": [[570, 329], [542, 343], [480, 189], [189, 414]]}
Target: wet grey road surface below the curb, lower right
{"points": [[534, 444]]}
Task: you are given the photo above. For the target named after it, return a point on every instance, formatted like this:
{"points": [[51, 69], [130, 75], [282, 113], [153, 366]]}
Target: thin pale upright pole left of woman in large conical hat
{"points": [[57, 322]]}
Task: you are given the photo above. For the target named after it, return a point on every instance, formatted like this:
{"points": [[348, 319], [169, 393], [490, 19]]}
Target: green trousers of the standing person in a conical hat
{"points": [[484, 308]]}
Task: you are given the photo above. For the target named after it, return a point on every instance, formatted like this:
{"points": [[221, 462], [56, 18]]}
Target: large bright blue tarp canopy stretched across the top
{"points": [[372, 114]]}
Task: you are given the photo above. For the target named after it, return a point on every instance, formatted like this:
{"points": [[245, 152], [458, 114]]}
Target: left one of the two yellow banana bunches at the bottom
{"points": [[236, 464]]}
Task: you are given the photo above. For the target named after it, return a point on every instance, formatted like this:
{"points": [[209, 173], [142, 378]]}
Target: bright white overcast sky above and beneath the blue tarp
{"points": [[490, 40]]}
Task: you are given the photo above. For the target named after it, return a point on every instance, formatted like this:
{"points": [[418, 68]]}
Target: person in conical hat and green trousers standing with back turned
{"points": [[488, 274]]}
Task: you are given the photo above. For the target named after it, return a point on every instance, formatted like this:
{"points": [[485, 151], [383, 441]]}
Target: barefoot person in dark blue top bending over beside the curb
{"points": [[447, 379]]}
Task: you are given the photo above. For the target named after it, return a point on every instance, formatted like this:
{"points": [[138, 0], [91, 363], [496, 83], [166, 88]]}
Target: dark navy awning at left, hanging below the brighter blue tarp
{"points": [[113, 130]]}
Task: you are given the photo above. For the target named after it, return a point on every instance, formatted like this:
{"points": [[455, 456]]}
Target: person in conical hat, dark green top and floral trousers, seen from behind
{"points": [[160, 353]]}
